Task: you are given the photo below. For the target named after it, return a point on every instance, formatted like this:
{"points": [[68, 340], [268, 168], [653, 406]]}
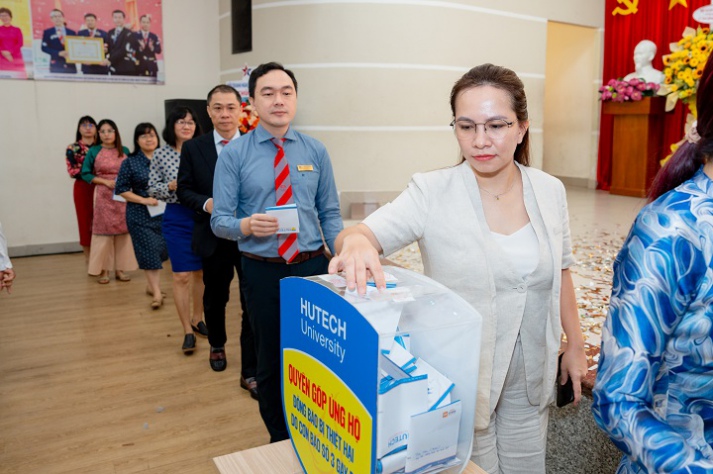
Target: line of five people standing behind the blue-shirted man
{"points": [[118, 196]]}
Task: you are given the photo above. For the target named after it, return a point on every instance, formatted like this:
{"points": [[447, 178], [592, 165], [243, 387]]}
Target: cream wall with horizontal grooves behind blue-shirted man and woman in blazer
{"points": [[374, 77]]}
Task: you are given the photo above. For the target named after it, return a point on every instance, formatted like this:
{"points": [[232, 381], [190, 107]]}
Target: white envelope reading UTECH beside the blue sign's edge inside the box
{"points": [[395, 405]]}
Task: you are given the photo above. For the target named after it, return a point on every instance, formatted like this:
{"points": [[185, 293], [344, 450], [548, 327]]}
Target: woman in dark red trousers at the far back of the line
{"points": [[86, 137]]}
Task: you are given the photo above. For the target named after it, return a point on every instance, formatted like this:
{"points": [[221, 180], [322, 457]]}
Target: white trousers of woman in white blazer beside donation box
{"points": [[515, 441]]}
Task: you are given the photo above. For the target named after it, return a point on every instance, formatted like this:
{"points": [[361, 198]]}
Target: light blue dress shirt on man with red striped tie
{"points": [[244, 185]]}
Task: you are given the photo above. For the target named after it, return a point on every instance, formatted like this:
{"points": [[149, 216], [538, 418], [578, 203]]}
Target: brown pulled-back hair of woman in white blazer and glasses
{"points": [[506, 80]]}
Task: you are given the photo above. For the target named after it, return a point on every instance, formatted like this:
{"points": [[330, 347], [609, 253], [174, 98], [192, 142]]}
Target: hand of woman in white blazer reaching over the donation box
{"points": [[358, 259]]}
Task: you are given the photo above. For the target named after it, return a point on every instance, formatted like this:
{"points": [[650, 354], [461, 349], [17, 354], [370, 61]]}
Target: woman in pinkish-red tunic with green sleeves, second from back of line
{"points": [[111, 245]]}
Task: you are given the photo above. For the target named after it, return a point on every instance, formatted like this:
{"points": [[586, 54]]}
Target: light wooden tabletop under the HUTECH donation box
{"points": [[281, 459]]}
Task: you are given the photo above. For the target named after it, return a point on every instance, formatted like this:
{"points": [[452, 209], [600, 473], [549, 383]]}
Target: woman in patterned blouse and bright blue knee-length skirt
{"points": [[177, 227]]}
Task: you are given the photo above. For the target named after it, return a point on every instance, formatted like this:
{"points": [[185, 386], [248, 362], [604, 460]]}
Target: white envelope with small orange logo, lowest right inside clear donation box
{"points": [[433, 439]]}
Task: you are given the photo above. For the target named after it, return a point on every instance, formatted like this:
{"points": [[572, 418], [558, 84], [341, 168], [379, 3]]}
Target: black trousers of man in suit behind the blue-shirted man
{"points": [[217, 276]]}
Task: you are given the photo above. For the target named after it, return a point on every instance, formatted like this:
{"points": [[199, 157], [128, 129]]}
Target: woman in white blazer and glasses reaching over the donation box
{"points": [[496, 232]]}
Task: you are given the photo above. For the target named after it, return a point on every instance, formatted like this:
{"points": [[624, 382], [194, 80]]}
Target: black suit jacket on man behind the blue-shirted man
{"points": [[195, 187]]}
